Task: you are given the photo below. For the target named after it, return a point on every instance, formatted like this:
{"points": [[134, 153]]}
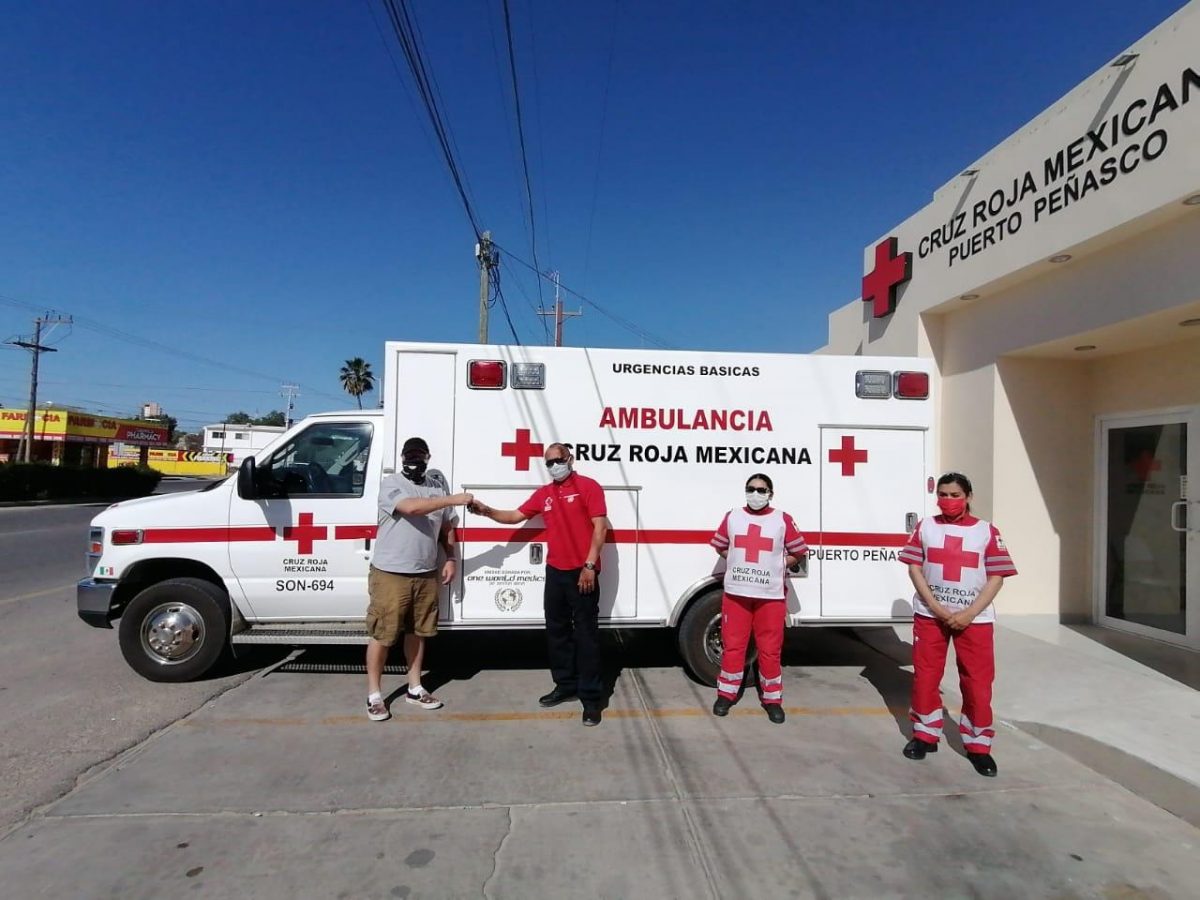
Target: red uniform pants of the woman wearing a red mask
{"points": [[977, 670]]}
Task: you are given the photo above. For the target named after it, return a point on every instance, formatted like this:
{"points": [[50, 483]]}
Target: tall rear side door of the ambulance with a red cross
{"points": [[873, 489]]}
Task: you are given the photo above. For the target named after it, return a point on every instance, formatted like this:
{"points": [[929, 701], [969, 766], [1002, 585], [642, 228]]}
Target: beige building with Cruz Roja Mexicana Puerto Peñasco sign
{"points": [[1057, 285]]}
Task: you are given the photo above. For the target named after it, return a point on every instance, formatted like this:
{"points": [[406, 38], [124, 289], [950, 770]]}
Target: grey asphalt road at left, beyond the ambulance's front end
{"points": [[68, 699]]}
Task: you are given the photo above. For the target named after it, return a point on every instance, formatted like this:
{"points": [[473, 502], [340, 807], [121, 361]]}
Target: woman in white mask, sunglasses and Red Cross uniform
{"points": [[759, 544]]}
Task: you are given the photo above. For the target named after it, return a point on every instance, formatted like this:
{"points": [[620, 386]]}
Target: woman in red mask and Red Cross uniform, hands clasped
{"points": [[958, 563]]}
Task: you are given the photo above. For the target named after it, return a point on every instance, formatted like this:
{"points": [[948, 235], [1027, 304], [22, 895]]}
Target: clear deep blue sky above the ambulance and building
{"points": [[236, 194]]}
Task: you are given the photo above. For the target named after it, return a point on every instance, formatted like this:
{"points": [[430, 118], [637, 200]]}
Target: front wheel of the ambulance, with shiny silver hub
{"points": [[176, 631]]}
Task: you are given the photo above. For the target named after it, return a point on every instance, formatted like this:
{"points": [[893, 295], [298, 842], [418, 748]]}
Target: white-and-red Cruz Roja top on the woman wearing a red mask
{"points": [[957, 561]]}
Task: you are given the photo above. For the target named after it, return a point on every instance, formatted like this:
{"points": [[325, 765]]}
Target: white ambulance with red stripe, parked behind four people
{"points": [[279, 553]]}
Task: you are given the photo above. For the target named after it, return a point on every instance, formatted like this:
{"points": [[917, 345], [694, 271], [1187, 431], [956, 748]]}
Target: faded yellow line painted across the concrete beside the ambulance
{"points": [[525, 717]]}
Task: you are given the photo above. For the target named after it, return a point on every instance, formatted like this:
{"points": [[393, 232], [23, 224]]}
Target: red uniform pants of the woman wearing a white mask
{"points": [[765, 619]]}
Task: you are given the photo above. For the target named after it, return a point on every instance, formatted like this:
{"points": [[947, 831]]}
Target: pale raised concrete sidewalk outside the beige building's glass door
{"points": [[1125, 706]]}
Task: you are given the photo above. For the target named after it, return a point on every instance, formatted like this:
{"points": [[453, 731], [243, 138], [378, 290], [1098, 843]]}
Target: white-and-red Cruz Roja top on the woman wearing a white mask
{"points": [[757, 547]]}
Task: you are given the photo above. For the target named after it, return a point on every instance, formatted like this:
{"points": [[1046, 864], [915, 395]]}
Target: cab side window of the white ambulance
{"points": [[325, 460]]}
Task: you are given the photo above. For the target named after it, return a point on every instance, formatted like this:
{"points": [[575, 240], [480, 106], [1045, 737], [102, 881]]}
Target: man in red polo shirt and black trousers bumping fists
{"points": [[577, 529]]}
